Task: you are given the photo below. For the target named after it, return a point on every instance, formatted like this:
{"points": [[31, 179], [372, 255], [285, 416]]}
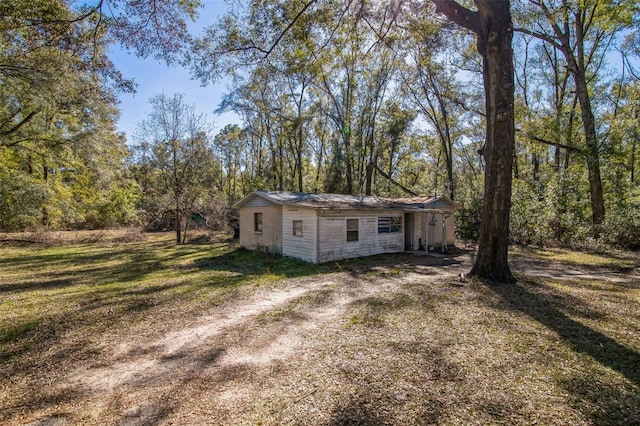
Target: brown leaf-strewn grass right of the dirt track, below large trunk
{"points": [[472, 355]]}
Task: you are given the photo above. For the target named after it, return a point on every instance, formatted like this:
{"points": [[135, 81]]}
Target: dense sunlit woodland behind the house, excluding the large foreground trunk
{"points": [[367, 97]]}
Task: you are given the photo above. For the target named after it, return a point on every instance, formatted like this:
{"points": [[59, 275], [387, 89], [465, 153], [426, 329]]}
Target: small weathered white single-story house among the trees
{"points": [[324, 227]]}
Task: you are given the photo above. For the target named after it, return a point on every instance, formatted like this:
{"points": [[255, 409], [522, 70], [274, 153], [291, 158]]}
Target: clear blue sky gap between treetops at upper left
{"points": [[153, 77]]}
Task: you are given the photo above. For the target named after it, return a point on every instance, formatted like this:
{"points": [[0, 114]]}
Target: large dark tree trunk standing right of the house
{"points": [[492, 24]]}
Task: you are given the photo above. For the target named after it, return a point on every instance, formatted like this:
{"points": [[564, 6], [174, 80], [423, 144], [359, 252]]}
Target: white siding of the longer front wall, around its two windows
{"points": [[332, 235]]}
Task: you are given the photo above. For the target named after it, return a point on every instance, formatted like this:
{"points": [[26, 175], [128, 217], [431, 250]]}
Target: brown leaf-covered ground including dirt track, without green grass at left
{"points": [[387, 340]]}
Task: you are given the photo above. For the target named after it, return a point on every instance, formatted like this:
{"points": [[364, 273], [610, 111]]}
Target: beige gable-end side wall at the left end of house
{"points": [[270, 238]]}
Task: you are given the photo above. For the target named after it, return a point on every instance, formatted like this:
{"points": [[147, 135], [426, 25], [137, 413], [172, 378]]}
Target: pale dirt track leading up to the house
{"points": [[209, 368]]}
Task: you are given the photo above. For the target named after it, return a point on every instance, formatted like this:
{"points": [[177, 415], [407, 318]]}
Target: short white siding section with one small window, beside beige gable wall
{"points": [[302, 247]]}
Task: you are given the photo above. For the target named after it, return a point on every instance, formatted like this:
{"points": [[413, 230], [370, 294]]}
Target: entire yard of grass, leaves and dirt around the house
{"points": [[127, 328]]}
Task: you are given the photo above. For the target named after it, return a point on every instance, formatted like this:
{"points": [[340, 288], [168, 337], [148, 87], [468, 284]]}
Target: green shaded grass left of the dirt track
{"points": [[49, 289]]}
